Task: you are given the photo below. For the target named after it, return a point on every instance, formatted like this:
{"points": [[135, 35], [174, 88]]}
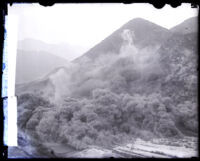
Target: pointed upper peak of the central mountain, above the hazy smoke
{"points": [[141, 33]]}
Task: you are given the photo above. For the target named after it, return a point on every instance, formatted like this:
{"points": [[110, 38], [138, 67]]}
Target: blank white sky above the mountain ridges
{"points": [[87, 24]]}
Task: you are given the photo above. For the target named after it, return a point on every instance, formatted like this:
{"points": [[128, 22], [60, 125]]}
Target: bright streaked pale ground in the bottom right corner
{"points": [[161, 148]]}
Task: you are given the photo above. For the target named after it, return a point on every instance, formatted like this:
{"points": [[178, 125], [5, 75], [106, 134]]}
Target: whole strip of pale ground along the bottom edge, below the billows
{"points": [[156, 148]]}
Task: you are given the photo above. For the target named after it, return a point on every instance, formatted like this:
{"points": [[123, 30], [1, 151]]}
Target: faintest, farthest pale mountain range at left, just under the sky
{"points": [[62, 50]]}
